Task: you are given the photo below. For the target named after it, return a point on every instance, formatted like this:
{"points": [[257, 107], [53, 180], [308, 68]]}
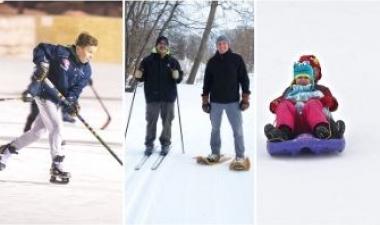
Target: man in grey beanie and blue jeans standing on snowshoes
{"points": [[225, 73]]}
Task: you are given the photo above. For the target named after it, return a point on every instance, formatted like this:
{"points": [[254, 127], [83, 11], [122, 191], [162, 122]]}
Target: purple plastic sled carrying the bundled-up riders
{"points": [[306, 143]]}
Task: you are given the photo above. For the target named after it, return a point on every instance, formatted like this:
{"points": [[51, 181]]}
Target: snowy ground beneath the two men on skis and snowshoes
{"points": [[180, 191]]}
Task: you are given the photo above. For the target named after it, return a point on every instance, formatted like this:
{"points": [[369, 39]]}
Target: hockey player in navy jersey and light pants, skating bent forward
{"points": [[68, 68]]}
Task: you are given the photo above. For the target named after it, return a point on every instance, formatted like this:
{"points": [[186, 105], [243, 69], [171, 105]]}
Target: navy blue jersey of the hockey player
{"points": [[66, 72]]}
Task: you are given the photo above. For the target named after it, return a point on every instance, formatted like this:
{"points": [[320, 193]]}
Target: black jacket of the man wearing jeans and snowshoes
{"points": [[224, 73]]}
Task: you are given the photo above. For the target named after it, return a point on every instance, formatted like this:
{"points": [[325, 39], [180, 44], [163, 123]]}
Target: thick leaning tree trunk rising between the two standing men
{"points": [[202, 46]]}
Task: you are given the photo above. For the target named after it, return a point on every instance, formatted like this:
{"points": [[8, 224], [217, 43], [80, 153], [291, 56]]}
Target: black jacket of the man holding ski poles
{"points": [[159, 85]]}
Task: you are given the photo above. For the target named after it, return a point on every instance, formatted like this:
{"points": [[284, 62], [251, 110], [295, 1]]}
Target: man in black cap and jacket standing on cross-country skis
{"points": [[160, 72]]}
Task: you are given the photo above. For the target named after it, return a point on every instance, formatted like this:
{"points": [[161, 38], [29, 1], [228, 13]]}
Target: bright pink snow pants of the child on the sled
{"points": [[311, 116]]}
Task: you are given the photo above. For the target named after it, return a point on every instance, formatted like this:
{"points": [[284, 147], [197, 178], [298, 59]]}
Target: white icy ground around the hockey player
{"points": [[94, 194]]}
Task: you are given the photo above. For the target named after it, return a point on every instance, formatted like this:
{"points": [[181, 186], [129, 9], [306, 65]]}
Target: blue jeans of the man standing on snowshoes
{"points": [[235, 118]]}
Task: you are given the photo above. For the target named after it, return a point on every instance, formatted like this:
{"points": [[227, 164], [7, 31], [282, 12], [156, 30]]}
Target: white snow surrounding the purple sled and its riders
{"points": [[339, 189]]}
